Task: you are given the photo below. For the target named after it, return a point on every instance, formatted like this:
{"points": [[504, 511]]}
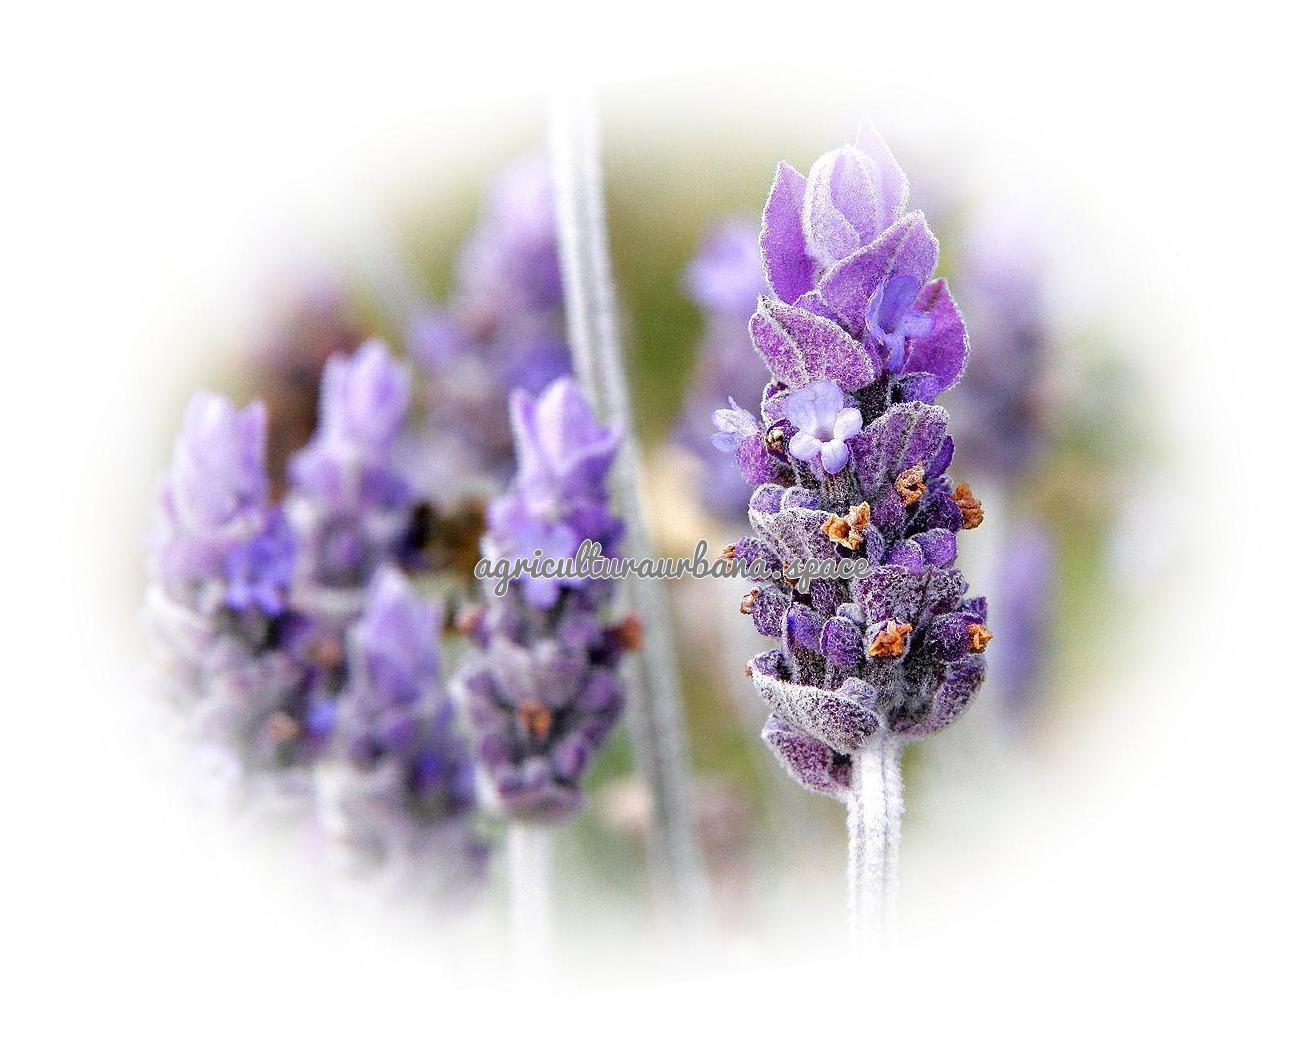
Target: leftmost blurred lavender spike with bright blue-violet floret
{"points": [[220, 565]]}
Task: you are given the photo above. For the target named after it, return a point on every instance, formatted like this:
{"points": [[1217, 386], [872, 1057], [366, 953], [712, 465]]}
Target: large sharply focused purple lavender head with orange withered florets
{"points": [[849, 459]]}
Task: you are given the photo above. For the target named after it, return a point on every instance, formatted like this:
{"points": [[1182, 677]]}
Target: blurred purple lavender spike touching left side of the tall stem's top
{"points": [[505, 327]]}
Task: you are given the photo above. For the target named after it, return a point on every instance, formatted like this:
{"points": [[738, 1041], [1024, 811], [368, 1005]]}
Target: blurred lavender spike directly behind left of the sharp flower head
{"points": [[726, 280]]}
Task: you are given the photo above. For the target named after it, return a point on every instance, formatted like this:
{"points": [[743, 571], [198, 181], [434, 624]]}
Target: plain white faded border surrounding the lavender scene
{"points": [[1148, 892]]}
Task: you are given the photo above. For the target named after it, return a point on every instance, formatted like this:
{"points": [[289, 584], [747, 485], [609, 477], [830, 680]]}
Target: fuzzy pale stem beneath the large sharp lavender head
{"points": [[877, 805]]}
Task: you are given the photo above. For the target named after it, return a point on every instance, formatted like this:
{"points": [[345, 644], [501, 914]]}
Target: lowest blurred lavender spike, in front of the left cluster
{"points": [[402, 796]]}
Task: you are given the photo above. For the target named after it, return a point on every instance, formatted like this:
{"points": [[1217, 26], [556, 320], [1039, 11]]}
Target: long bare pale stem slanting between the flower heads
{"points": [[656, 709]]}
